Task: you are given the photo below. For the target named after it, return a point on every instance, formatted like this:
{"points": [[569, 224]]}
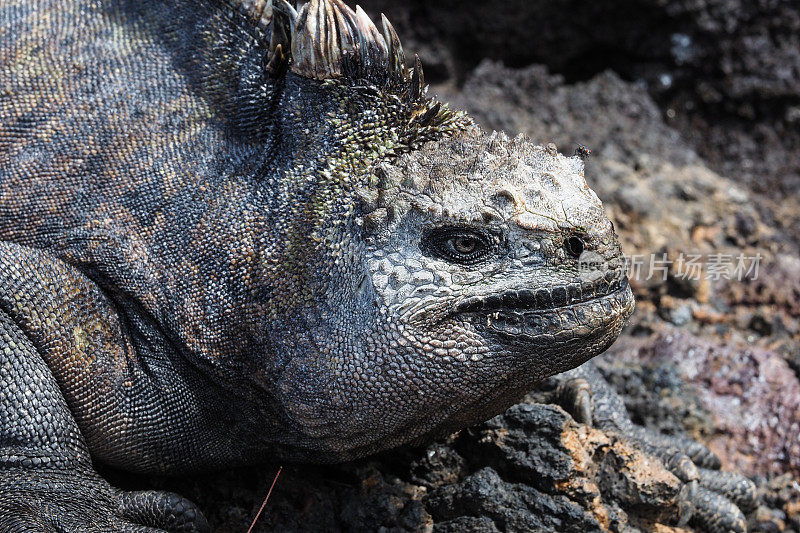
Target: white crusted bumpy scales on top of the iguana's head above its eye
{"points": [[508, 179]]}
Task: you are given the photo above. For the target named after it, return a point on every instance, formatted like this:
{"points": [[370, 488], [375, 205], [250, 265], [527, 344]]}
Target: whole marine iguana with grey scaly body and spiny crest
{"points": [[233, 230]]}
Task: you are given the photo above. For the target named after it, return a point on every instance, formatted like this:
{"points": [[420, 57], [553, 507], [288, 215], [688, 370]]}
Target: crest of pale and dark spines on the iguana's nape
{"points": [[327, 41]]}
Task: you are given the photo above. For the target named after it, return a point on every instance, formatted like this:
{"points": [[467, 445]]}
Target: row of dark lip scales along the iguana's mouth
{"points": [[541, 299]]}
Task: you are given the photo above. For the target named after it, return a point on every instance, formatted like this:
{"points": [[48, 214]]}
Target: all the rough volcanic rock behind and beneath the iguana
{"points": [[692, 110]]}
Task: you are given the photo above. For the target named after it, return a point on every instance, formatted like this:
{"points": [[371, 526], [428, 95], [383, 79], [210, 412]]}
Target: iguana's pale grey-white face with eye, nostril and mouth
{"points": [[492, 250]]}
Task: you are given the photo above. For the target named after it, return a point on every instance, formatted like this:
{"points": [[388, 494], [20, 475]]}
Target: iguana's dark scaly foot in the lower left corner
{"points": [[34, 500]]}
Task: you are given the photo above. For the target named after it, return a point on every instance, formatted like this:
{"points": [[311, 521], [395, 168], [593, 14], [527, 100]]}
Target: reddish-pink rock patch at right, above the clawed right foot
{"points": [[751, 393]]}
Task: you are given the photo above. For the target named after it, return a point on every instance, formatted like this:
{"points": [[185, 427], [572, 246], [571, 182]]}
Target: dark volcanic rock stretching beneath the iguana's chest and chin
{"points": [[530, 469]]}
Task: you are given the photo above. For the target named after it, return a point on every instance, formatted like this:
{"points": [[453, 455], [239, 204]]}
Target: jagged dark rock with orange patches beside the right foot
{"points": [[540, 446]]}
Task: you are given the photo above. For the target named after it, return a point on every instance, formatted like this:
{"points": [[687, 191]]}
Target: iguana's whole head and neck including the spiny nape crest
{"points": [[422, 275]]}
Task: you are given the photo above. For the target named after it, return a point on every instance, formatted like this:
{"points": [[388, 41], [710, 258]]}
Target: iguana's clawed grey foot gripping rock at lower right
{"points": [[711, 500]]}
